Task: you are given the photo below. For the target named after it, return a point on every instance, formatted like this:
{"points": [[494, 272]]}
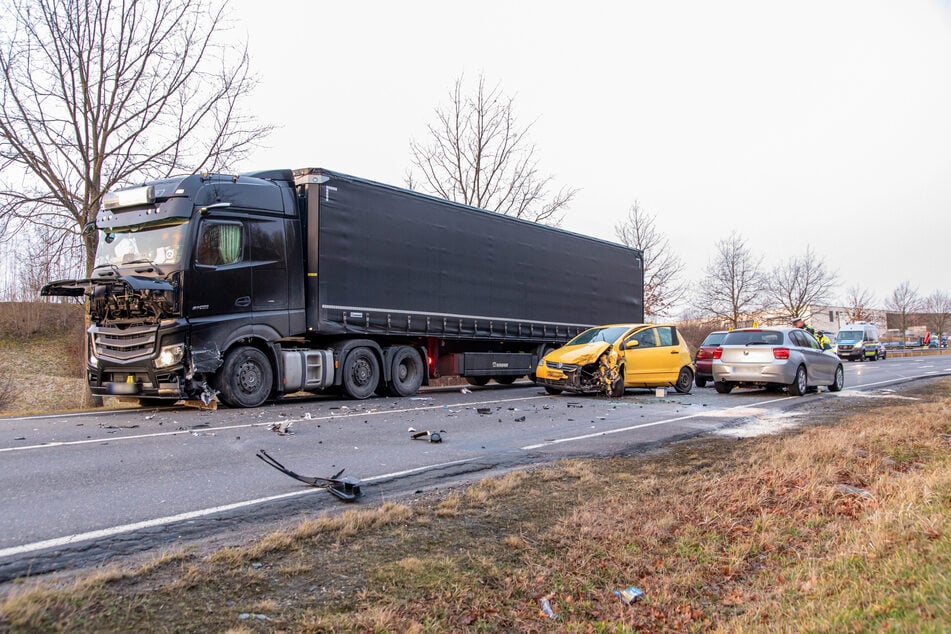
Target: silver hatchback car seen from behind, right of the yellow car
{"points": [[777, 358]]}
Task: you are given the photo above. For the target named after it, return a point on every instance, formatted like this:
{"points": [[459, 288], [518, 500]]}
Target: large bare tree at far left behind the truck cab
{"points": [[97, 93]]}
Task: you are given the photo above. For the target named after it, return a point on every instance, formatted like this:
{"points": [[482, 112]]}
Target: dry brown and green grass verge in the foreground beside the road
{"points": [[752, 535]]}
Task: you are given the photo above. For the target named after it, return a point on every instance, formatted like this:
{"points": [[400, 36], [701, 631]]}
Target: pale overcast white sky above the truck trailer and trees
{"points": [[823, 124]]}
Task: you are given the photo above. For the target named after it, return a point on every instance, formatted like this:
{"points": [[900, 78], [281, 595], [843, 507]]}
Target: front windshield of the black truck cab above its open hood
{"points": [[155, 245]]}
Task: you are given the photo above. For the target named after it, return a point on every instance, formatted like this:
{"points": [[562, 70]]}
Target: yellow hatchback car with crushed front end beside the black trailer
{"points": [[608, 359]]}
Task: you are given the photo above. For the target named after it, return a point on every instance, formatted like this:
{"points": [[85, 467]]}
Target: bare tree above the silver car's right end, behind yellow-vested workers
{"points": [[799, 283]]}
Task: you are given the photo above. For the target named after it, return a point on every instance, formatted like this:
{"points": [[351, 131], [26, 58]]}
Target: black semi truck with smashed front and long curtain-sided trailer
{"points": [[253, 286]]}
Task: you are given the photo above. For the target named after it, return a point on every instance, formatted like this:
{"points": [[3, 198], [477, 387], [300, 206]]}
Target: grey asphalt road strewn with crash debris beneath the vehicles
{"points": [[84, 488]]}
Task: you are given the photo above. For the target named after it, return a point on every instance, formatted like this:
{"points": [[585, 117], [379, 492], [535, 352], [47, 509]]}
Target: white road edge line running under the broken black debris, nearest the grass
{"points": [[103, 533]]}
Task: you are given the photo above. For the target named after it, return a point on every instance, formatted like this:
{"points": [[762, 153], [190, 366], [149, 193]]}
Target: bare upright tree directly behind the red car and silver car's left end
{"points": [[733, 282]]}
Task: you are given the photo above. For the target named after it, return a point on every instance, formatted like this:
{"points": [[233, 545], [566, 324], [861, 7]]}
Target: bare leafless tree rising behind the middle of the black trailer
{"points": [[477, 154]]}
